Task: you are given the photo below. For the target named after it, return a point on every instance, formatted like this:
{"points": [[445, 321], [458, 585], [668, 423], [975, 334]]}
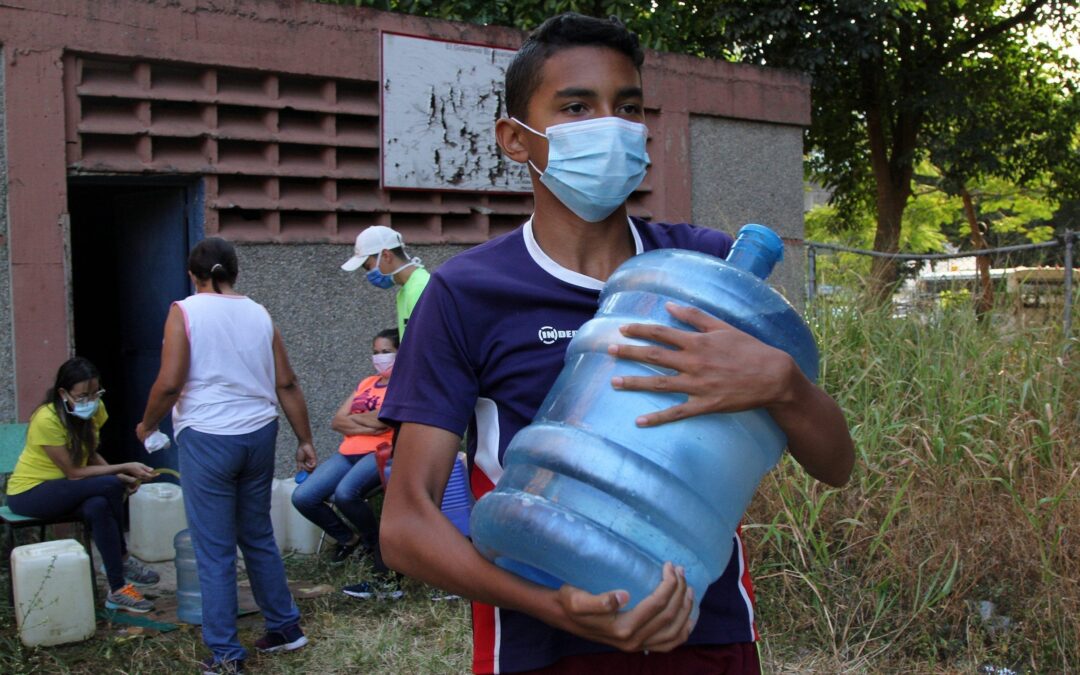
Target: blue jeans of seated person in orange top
{"points": [[348, 479]]}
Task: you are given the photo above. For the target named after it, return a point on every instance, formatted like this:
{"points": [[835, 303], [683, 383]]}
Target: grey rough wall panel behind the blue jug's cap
{"points": [[750, 172]]}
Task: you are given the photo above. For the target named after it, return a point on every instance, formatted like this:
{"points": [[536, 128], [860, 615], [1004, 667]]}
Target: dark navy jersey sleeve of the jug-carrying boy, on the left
{"points": [[435, 382]]}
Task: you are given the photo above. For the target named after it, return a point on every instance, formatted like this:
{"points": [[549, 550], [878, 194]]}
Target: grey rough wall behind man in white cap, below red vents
{"points": [[328, 319]]}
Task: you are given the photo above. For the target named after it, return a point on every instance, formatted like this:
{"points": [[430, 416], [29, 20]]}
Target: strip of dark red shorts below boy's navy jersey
{"points": [[739, 659]]}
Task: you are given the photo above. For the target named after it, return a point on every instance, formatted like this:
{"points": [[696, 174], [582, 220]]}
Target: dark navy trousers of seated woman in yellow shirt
{"points": [[100, 501]]}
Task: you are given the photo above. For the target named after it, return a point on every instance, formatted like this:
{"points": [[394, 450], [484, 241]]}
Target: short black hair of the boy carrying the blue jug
{"points": [[557, 34]]}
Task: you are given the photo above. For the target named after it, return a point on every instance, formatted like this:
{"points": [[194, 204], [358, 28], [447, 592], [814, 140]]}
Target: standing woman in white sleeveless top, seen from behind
{"points": [[224, 372]]}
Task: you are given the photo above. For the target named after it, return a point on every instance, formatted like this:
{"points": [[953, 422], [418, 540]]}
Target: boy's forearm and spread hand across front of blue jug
{"points": [[724, 371]]}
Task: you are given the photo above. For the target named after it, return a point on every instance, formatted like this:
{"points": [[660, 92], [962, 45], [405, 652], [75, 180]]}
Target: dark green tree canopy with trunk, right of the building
{"points": [[896, 82]]}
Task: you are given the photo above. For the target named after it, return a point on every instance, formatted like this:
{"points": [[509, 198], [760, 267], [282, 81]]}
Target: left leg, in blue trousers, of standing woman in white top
{"points": [[210, 467]]}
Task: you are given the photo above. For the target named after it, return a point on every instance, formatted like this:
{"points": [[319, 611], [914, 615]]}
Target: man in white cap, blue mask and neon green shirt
{"points": [[382, 252]]}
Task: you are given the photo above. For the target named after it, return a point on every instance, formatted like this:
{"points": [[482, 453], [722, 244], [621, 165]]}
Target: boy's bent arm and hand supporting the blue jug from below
{"points": [[420, 542]]}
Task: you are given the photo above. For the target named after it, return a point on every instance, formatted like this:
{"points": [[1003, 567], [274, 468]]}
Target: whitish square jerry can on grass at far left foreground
{"points": [[55, 600]]}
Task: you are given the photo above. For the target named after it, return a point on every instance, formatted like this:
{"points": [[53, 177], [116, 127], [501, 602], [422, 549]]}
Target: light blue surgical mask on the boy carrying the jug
{"points": [[593, 166]]}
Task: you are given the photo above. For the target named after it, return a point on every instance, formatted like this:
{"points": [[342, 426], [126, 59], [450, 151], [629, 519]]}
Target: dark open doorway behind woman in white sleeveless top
{"points": [[130, 242]]}
